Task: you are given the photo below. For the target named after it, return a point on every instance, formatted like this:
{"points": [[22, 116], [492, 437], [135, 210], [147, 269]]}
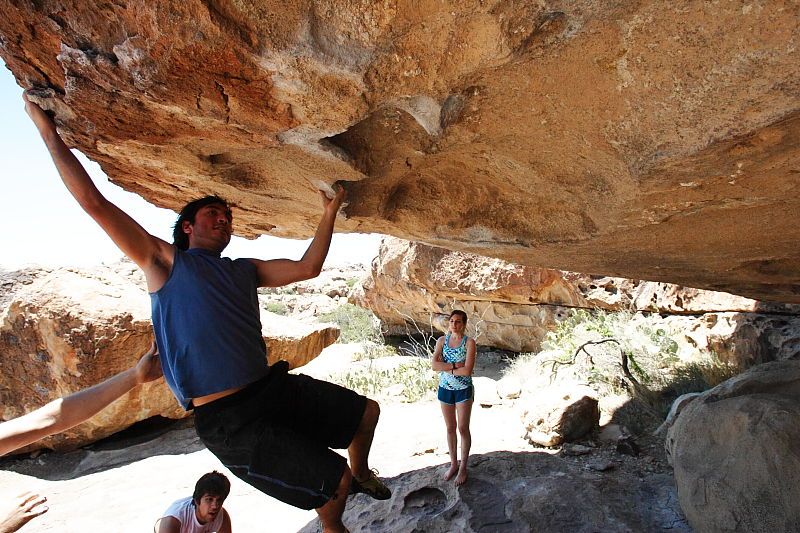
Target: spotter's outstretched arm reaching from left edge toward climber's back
{"points": [[64, 413]]}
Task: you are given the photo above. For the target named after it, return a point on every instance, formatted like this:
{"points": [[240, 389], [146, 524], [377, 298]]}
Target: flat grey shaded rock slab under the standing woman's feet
{"points": [[518, 492]]}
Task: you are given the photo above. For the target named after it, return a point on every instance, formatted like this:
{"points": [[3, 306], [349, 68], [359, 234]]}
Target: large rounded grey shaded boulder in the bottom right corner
{"points": [[735, 452]]}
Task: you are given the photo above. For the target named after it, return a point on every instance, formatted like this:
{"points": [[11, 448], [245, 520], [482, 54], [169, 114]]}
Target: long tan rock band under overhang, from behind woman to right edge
{"points": [[513, 307]]}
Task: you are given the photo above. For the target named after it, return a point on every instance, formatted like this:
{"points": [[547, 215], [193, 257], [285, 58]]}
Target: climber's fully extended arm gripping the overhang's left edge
{"points": [[153, 255]]}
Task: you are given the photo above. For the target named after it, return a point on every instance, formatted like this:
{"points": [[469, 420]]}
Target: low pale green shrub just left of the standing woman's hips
{"points": [[413, 373]]}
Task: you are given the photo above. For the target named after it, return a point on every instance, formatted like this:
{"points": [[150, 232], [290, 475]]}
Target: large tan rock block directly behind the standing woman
{"points": [[414, 283]]}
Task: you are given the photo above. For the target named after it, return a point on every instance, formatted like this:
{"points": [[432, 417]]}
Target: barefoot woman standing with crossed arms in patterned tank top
{"points": [[454, 359]]}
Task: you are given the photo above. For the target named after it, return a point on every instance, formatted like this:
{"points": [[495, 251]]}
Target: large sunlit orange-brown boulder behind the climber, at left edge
{"points": [[63, 330]]}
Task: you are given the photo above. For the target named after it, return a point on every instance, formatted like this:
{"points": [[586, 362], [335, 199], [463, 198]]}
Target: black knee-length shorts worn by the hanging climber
{"points": [[277, 433]]}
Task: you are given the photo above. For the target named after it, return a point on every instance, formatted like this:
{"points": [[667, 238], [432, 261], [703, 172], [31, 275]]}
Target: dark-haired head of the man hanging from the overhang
{"points": [[199, 219]]}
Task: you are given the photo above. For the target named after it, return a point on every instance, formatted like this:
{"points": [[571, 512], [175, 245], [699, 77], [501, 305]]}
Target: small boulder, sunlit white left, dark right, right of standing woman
{"points": [[559, 414]]}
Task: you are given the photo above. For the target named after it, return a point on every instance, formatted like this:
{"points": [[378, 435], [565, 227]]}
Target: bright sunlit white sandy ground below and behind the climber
{"points": [[126, 489]]}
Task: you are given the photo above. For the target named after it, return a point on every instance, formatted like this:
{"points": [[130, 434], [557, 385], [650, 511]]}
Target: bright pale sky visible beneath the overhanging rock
{"points": [[45, 226]]}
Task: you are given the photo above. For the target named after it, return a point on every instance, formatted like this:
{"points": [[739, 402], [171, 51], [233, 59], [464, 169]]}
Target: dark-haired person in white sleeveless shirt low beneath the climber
{"points": [[202, 512]]}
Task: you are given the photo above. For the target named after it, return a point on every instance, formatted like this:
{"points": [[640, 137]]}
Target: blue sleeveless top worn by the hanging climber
{"points": [[207, 325]]}
